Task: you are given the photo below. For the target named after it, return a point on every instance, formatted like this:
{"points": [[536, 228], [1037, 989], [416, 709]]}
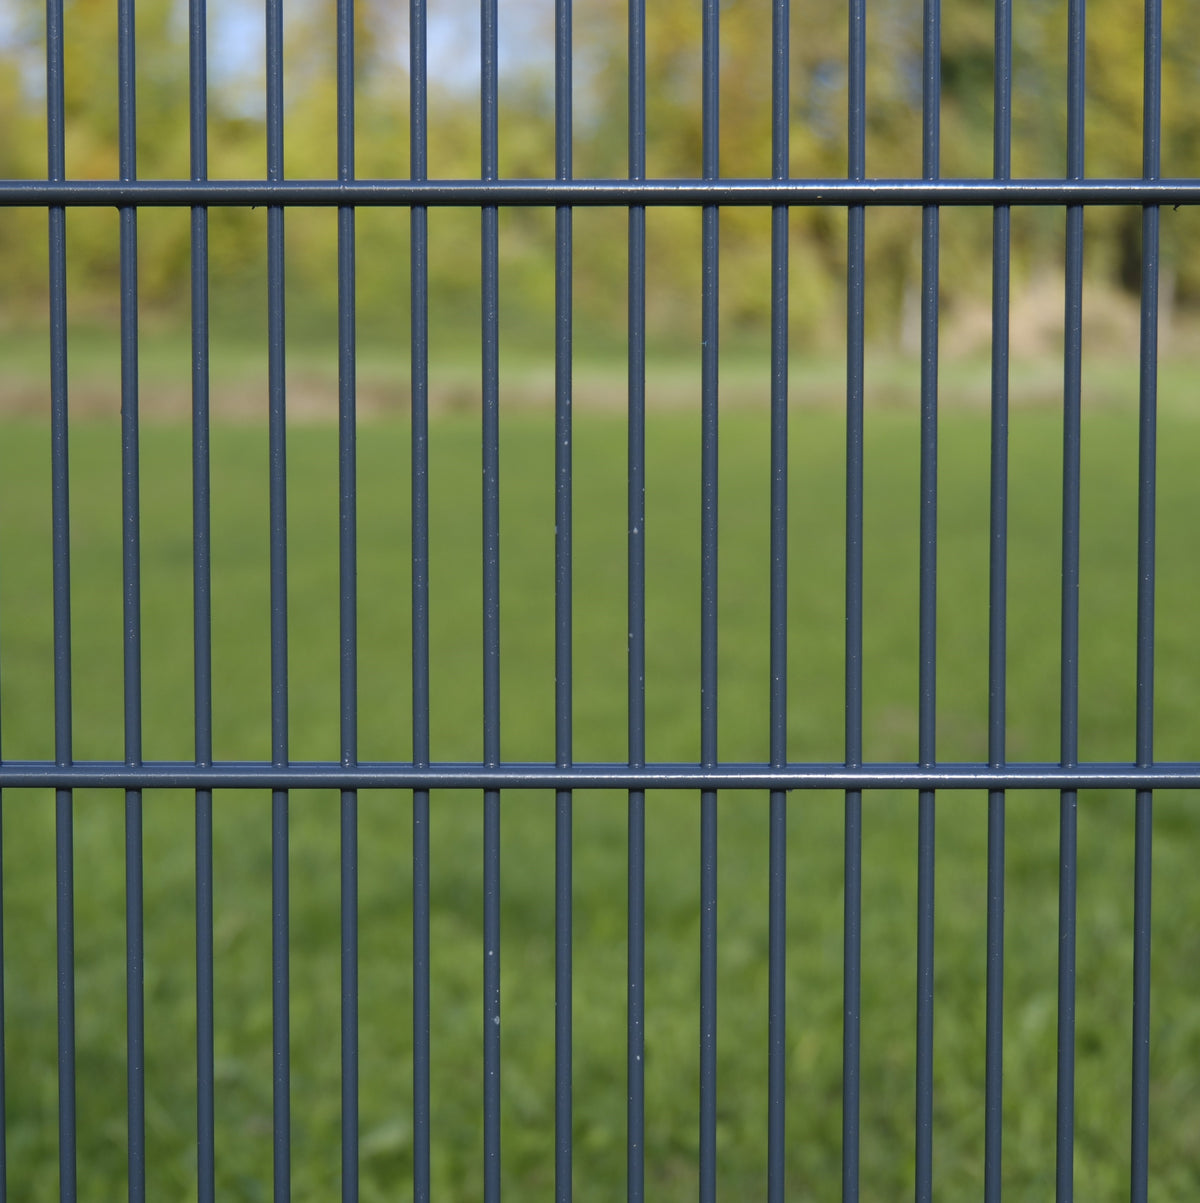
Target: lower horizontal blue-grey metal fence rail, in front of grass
{"points": [[400, 775]]}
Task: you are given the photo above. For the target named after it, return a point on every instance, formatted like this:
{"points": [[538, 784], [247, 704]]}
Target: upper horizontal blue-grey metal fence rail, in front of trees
{"points": [[474, 193]]}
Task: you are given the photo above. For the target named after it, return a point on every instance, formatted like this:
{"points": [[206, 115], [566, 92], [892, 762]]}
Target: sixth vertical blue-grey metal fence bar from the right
{"points": [[777, 935]]}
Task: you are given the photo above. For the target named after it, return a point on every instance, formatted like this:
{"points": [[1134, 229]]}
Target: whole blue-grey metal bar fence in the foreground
{"points": [[777, 775]]}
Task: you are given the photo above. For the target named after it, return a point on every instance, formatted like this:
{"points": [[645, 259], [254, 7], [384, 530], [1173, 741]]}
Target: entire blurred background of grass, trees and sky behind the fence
{"points": [[241, 607]]}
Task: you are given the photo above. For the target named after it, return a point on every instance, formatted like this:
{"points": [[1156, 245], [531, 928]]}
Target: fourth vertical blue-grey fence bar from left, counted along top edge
{"points": [[278, 493]]}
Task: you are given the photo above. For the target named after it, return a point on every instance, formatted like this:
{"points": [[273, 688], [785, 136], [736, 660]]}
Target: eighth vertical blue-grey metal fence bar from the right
{"points": [[635, 1064]]}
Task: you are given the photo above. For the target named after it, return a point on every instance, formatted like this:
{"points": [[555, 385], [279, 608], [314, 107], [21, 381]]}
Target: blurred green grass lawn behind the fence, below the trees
{"points": [[816, 831]]}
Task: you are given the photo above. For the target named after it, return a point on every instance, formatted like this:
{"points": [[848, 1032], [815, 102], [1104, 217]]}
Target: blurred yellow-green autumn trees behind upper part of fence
{"points": [[818, 146]]}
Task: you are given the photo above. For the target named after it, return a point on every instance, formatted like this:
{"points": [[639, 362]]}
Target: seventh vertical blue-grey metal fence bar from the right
{"points": [[709, 754]]}
